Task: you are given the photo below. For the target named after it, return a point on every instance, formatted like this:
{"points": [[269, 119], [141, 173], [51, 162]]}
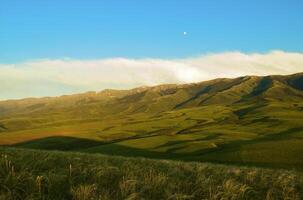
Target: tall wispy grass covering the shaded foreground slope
{"points": [[34, 174]]}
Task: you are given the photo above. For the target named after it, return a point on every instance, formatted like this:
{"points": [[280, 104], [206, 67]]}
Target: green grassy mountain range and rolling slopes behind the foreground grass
{"points": [[249, 119]]}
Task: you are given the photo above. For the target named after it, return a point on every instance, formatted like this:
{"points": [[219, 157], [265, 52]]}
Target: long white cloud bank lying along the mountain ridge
{"points": [[64, 76]]}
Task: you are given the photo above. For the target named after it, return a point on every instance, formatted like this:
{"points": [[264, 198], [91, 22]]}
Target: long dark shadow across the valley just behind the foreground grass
{"points": [[229, 153]]}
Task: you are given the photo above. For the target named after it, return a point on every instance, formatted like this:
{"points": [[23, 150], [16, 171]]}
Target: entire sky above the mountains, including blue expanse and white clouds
{"points": [[50, 48]]}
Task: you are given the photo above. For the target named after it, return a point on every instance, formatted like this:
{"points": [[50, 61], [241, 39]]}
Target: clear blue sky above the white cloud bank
{"points": [[91, 29]]}
